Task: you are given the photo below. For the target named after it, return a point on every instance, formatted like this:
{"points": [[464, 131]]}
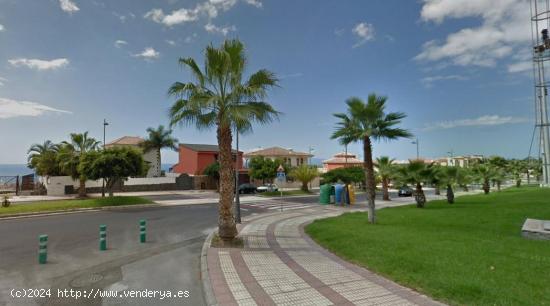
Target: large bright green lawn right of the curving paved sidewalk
{"points": [[468, 253]]}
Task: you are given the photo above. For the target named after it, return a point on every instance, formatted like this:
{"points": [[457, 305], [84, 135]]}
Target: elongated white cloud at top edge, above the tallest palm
{"points": [[208, 9]]}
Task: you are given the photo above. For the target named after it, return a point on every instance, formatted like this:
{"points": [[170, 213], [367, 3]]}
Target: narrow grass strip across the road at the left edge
{"points": [[71, 204]]}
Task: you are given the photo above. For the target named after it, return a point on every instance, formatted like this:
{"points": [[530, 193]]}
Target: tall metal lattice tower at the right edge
{"points": [[540, 26]]}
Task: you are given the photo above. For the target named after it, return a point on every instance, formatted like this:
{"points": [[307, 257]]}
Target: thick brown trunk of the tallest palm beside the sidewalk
{"points": [[227, 230]]}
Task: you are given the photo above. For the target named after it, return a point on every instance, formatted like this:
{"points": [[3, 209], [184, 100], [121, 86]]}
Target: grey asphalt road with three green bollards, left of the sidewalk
{"points": [[168, 261]]}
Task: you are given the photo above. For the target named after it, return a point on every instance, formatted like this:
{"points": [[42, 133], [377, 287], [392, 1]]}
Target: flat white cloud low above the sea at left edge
{"points": [[13, 108]]}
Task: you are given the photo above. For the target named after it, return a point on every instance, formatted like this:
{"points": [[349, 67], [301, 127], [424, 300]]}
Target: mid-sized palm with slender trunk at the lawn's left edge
{"points": [[368, 122]]}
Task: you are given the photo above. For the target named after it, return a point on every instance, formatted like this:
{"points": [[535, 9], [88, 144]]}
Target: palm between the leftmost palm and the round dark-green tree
{"points": [[72, 153]]}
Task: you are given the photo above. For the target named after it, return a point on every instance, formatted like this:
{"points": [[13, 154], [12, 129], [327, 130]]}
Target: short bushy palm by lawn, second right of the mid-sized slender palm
{"points": [[415, 173]]}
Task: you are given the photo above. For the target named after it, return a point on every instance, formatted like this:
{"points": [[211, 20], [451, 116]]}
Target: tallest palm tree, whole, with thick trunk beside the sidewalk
{"points": [[218, 97]]}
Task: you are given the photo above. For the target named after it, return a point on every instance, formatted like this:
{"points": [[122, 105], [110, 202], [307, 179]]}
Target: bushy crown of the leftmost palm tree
{"points": [[43, 158]]}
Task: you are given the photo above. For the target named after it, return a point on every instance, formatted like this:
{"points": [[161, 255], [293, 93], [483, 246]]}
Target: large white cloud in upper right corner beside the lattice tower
{"points": [[504, 29]]}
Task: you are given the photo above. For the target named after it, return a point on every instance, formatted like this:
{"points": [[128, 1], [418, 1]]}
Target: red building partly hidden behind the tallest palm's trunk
{"points": [[194, 158]]}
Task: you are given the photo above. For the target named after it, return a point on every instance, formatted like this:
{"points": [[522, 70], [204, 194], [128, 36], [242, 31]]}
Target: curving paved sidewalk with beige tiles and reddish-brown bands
{"points": [[280, 265]]}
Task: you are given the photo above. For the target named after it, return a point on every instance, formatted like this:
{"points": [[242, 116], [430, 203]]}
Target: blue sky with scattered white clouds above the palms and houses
{"points": [[459, 69]]}
